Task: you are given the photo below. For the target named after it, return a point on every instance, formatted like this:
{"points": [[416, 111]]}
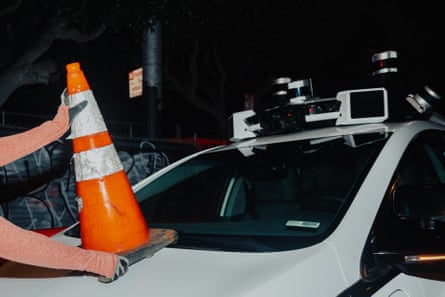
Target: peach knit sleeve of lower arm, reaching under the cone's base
{"points": [[29, 247]]}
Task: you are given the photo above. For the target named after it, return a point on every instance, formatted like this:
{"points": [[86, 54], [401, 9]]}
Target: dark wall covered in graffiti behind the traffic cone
{"points": [[38, 191]]}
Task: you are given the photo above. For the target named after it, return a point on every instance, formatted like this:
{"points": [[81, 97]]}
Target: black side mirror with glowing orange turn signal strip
{"points": [[422, 252]]}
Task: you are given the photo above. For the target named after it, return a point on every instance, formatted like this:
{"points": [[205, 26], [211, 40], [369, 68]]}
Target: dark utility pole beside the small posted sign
{"points": [[152, 75]]}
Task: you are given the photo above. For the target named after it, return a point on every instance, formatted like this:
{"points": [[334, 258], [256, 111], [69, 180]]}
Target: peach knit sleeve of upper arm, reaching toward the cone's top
{"points": [[16, 146]]}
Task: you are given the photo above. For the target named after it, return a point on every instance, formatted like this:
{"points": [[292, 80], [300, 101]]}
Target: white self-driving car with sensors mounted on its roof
{"points": [[351, 208]]}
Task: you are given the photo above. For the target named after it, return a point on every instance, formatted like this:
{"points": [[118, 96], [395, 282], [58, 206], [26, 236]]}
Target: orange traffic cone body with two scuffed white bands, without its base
{"points": [[109, 215]]}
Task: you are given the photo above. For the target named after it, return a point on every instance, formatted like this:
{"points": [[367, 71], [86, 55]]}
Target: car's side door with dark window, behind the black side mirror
{"points": [[397, 232]]}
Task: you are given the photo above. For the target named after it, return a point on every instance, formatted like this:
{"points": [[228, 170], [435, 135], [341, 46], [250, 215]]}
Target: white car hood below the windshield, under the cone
{"points": [[183, 272]]}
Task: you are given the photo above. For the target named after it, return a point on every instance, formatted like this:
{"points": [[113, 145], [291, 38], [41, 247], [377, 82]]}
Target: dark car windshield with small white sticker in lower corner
{"points": [[262, 198]]}
